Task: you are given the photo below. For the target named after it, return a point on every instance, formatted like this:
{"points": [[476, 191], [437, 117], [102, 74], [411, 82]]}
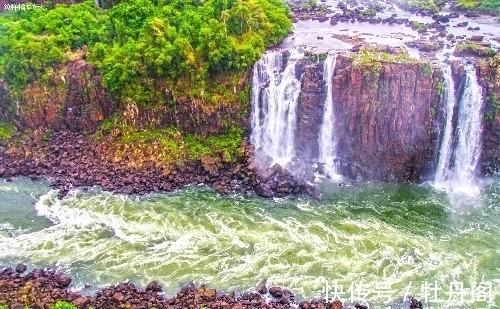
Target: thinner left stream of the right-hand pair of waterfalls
{"points": [[446, 150]]}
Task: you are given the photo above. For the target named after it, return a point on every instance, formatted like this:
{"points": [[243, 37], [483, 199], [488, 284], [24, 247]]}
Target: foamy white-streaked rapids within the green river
{"points": [[228, 246]]}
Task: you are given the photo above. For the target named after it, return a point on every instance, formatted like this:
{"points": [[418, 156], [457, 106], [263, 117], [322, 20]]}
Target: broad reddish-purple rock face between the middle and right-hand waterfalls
{"points": [[386, 119]]}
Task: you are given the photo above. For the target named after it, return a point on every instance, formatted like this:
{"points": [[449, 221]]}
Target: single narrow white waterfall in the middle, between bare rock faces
{"points": [[326, 139]]}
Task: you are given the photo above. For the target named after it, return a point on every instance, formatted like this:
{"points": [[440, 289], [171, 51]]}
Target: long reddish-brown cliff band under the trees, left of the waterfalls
{"points": [[75, 100]]}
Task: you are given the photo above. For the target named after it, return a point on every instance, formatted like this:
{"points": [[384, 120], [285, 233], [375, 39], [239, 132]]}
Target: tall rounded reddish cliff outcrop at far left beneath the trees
{"points": [[73, 99]]}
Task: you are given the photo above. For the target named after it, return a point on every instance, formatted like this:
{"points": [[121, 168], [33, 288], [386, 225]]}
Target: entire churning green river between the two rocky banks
{"points": [[376, 242]]}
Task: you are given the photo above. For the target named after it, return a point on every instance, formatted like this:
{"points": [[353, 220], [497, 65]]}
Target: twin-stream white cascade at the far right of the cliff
{"points": [[461, 148]]}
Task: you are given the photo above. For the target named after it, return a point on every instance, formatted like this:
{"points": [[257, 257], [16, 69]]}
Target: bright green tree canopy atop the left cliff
{"points": [[138, 42]]}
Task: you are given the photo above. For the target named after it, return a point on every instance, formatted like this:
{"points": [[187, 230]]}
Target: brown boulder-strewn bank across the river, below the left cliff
{"points": [[71, 160]]}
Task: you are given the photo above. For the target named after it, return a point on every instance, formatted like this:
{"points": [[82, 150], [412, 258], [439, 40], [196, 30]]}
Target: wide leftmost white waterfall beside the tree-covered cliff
{"points": [[275, 90]]}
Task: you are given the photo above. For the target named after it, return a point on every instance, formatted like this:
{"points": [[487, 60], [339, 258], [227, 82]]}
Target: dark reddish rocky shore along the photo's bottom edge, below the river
{"points": [[42, 288]]}
